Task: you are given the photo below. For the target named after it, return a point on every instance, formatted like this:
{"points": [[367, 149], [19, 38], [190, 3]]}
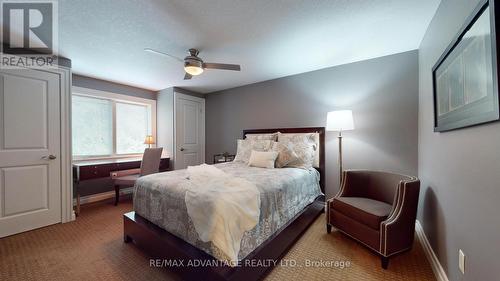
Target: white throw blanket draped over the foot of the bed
{"points": [[222, 207]]}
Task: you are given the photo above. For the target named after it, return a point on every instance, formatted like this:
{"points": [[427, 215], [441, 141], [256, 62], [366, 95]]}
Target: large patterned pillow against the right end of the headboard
{"points": [[304, 145]]}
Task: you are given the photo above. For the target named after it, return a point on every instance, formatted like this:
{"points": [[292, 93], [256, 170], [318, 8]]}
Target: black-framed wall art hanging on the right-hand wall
{"points": [[465, 78]]}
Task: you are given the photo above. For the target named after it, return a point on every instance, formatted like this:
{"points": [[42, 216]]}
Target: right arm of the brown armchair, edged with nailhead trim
{"points": [[397, 231]]}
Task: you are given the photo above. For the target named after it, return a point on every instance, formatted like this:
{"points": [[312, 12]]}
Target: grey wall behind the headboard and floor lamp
{"points": [[382, 92]]}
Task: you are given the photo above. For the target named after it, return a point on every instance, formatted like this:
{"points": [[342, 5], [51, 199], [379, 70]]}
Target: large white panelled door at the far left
{"points": [[30, 165]]}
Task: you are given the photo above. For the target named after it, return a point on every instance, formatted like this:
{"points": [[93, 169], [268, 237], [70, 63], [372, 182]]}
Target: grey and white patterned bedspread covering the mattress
{"points": [[284, 192]]}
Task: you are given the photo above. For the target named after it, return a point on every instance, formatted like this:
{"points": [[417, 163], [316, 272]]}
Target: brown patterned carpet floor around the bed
{"points": [[92, 248]]}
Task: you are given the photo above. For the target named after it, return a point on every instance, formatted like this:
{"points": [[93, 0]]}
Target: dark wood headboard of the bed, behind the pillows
{"points": [[320, 130]]}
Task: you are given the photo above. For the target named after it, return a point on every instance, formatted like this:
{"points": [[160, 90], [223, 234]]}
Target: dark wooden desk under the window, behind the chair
{"points": [[94, 169]]}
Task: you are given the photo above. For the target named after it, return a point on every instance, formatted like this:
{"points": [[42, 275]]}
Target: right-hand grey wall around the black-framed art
{"points": [[460, 170]]}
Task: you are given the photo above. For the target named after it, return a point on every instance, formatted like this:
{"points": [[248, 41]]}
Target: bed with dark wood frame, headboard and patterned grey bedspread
{"points": [[291, 199]]}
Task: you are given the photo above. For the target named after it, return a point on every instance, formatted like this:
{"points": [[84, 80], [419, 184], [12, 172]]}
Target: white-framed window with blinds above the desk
{"points": [[110, 125]]}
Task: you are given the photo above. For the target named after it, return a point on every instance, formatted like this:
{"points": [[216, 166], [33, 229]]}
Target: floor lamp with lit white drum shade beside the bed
{"points": [[338, 121]]}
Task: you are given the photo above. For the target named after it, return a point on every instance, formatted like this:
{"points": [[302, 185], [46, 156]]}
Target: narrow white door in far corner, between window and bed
{"points": [[189, 131]]}
